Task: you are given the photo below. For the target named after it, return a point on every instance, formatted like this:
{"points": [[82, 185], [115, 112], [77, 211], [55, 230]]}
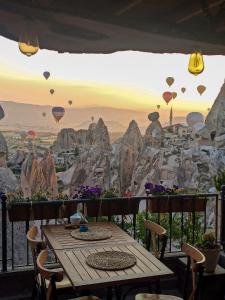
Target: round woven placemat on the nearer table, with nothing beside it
{"points": [[111, 260]]}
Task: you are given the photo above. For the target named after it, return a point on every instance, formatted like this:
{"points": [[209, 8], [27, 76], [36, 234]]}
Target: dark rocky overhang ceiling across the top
{"points": [[106, 26]]}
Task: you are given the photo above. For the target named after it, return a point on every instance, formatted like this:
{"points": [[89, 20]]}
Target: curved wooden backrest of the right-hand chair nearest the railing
{"points": [[155, 234]]}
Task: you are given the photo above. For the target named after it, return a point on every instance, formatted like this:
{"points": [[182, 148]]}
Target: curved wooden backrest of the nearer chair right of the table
{"points": [[195, 263]]}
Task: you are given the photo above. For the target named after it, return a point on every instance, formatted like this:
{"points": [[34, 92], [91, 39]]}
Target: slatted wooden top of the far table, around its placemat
{"points": [[60, 238]]}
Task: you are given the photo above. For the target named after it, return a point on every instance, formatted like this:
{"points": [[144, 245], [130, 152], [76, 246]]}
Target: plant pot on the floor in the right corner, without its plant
{"points": [[211, 259]]}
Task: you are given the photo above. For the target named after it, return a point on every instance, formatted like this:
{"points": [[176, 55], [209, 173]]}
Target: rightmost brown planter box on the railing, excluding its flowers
{"points": [[165, 204]]}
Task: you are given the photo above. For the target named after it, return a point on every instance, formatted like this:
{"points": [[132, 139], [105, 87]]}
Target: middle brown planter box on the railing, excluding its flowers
{"points": [[106, 207]]}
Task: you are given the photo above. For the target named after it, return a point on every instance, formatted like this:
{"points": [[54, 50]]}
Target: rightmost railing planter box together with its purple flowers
{"points": [[163, 199]]}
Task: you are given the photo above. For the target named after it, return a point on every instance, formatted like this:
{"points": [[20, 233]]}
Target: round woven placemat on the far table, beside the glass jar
{"points": [[93, 234]]}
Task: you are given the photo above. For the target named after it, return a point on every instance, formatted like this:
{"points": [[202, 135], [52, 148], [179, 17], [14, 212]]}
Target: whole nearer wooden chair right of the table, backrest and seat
{"points": [[195, 263]]}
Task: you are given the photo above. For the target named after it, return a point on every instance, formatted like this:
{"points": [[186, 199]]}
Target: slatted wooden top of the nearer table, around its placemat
{"points": [[82, 276]]}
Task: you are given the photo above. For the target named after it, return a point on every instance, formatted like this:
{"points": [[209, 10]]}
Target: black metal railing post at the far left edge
{"points": [[4, 232]]}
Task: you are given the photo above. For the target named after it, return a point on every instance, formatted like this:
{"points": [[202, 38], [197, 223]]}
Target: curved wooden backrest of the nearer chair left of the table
{"points": [[48, 274]]}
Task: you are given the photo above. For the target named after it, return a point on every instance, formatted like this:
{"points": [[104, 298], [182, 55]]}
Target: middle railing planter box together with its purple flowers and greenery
{"points": [[104, 206]]}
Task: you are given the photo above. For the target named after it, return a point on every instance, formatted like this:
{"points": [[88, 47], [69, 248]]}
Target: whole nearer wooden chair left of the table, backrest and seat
{"points": [[53, 279]]}
